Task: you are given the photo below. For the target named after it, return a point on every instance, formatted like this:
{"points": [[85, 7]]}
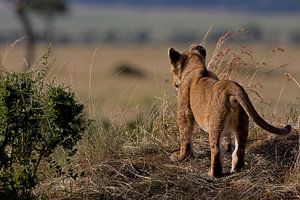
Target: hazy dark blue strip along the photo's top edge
{"points": [[244, 5]]}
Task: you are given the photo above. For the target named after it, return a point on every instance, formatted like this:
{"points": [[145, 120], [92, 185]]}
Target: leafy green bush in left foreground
{"points": [[36, 118]]}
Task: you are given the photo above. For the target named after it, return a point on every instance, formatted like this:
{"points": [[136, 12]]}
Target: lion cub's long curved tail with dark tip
{"points": [[242, 97]]}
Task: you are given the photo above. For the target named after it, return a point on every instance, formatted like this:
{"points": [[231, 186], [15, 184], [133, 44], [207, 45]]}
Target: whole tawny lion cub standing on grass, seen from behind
{"points": [[218, 106]]}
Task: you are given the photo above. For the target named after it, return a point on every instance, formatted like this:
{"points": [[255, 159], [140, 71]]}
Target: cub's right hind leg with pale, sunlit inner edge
{"points": [[240, 138]]}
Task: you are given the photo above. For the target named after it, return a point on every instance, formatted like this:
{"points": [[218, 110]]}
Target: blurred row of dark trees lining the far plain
{"points": [[247, 33]]}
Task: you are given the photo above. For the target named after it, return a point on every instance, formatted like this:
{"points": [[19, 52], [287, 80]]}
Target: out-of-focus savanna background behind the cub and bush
{"points": [[114, 53]]}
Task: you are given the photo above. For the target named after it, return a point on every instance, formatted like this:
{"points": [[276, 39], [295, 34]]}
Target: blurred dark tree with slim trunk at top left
{"points": [[46, 8]]}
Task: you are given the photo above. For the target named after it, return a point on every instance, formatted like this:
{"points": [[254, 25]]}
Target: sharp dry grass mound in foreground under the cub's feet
{"points": [[135, 164]]}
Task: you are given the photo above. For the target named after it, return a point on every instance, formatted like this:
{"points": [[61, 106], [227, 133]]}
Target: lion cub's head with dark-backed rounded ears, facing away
{"points": [[180, 61]]}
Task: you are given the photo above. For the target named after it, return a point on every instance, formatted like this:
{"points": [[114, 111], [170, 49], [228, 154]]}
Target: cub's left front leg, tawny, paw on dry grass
{"points": [[185, 120]]}
